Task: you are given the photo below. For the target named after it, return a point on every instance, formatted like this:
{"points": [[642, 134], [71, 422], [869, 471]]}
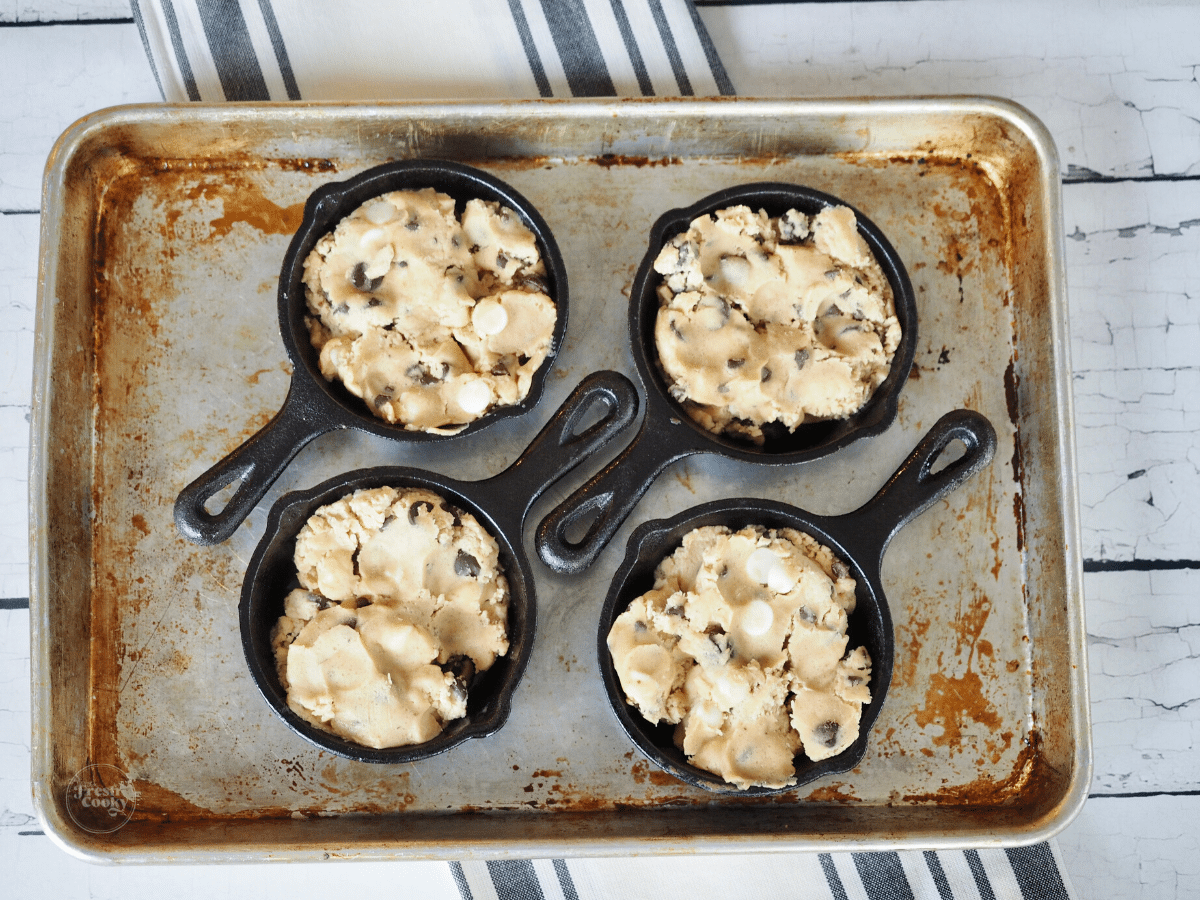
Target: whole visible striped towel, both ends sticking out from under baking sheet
{"points": [[481, 50]]}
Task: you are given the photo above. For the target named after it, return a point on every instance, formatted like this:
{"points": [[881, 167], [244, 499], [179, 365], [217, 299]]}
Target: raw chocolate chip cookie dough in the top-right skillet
{"points": [[767, 320]]}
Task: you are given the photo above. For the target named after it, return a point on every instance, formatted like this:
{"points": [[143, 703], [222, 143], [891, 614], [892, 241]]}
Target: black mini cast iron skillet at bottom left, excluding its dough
{"points": [[500, 505]]}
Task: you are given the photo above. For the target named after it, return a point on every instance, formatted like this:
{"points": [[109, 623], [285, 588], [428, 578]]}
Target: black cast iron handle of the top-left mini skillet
{"points": [[257, 465]]}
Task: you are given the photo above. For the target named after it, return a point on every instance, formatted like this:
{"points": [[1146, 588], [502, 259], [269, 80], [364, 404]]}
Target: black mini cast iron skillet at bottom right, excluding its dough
{"points": [[860, 539]]}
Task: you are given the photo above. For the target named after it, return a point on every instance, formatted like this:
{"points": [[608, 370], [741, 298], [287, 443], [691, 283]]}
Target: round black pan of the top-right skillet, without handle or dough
{"points": [[811, 441]]}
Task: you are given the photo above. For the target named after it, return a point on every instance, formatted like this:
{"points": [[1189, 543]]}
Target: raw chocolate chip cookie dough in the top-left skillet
{"points": [[433, 322]]}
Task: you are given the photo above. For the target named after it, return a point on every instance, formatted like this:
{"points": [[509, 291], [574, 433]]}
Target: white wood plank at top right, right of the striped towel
{"points": [[1115, 83]]}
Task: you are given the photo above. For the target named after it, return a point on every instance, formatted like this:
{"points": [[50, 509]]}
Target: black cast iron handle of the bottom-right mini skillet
{"points": [[915, 488]]}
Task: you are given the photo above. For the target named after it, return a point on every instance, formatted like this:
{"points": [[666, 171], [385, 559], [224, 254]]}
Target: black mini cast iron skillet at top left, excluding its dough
{"points": [[315, 406]]}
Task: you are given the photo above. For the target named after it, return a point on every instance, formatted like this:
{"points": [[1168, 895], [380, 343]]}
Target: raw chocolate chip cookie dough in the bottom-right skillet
{"points": [[742, 645]]}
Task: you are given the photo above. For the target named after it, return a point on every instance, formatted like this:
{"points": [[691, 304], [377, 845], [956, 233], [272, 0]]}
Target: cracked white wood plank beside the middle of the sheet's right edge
{"points": [[1133, 269]]}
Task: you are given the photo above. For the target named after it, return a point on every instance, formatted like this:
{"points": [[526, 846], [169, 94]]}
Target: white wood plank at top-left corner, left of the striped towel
{"points": [[53, 76]]}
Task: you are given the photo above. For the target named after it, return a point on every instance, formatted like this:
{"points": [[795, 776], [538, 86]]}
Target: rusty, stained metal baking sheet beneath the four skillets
{"points": [[159, 352]]}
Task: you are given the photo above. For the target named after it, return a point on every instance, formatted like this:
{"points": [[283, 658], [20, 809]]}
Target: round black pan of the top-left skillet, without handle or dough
{"points": [[333, 202]]}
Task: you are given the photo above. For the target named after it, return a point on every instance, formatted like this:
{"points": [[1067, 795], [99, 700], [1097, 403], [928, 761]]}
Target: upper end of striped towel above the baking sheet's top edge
{"points": [[451, 50]]}
